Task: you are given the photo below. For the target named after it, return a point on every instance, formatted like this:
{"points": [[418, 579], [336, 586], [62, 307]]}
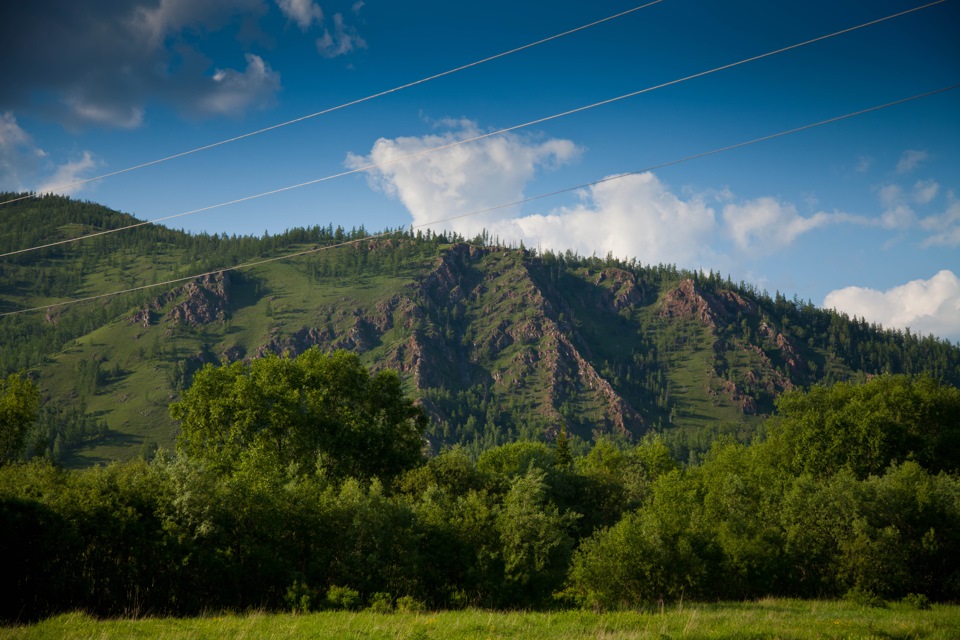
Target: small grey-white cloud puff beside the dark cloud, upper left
{"points": [[233, 91]]}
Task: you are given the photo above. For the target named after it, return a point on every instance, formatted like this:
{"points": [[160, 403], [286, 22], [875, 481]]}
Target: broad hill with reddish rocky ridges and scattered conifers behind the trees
{"points": [[497, 343]]}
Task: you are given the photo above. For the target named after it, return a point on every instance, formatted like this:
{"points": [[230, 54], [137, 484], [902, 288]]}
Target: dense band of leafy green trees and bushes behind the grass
{"points": [[298, 483]]}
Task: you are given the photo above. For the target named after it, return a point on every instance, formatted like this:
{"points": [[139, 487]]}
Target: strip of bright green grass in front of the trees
{"points": [[767, 619]]}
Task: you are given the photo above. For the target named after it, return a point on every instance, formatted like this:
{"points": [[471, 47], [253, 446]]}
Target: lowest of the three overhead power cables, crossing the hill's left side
{"points": [[298, 254]]}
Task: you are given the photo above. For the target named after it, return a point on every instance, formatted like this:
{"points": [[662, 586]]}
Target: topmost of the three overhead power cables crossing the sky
{"points": [[340, 106]]}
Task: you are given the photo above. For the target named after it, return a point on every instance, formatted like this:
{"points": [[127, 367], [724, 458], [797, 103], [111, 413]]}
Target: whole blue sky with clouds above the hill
{"points": [[861, 215]]}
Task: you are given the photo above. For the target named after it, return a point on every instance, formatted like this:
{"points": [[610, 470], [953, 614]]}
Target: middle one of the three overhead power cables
{"points": [[458, 143]]}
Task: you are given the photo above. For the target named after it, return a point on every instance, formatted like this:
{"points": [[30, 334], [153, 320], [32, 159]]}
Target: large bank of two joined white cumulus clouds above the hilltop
{"points": [[631, 215]]}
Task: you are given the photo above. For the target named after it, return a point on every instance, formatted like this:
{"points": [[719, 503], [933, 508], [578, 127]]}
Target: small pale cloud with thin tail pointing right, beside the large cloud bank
{"points": [[766, 224]]}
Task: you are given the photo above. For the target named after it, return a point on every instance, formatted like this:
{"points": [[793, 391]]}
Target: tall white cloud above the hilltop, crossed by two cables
{"points": [[461, 179]]}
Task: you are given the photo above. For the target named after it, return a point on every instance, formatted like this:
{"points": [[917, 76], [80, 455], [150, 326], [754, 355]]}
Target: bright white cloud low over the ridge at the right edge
{"points": [[925, 306]]}
